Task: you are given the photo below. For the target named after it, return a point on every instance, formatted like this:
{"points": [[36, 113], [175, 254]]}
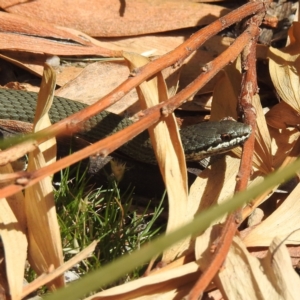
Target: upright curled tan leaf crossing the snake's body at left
{"points": [[45, 249]]}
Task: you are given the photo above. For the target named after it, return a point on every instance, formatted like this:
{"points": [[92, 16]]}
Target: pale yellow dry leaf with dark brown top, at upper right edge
{"points": [[285, 68]]}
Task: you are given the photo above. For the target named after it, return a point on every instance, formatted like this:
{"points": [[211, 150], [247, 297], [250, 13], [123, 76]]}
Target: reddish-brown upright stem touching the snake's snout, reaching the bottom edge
{"points": [[249, 89]]}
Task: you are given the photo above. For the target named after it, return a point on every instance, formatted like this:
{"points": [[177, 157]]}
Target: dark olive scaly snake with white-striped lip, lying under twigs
{"points": [[199, 141]]}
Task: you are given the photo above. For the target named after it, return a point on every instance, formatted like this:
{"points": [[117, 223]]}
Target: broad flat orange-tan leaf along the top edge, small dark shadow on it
{"points": [[118, 18]]}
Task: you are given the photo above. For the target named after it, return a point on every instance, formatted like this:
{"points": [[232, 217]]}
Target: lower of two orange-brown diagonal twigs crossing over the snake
{"points": [[149, 117]]}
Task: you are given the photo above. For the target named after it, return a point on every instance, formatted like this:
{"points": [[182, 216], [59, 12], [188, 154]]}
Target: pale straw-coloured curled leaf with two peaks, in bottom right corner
{"points": [[271, 278]]}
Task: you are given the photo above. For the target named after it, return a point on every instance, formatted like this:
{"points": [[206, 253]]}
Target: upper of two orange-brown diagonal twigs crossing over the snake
{"points": [[176, 56]]}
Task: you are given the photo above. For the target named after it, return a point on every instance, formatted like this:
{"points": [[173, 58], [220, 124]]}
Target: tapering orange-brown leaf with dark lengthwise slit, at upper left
{"points": [[20, 33]]}
